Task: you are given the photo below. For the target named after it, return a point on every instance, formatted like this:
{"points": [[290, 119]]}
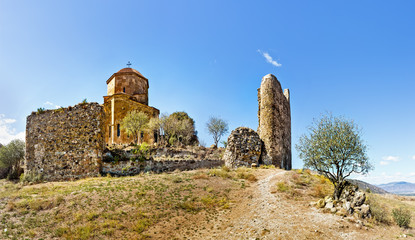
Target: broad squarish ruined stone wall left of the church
{"points": [[66, 143]]}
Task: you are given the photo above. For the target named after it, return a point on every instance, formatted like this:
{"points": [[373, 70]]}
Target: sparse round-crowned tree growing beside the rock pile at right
{"points": [[334, 148]]}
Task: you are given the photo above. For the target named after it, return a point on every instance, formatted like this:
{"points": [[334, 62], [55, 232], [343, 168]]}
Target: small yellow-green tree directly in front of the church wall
{"points": [[134, 123]]}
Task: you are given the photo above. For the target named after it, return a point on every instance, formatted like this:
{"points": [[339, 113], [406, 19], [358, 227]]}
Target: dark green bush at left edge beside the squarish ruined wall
{"points": [[10, 157]]}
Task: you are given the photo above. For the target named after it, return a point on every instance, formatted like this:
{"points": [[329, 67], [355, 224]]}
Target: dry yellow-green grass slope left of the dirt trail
{"points": [[125, 207]]}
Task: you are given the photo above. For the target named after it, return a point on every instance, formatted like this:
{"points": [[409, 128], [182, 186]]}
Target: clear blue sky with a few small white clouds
{"points": [[351, 58]]}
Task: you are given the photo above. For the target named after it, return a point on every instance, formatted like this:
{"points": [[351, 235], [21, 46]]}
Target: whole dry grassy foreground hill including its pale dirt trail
{"points": [[200, 204]]}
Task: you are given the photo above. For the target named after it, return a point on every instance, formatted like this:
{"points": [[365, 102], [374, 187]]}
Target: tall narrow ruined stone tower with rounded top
{"points": [[274, 116]]}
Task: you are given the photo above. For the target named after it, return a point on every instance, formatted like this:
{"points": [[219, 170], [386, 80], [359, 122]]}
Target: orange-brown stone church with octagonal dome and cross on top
{"points": [[127, 90]]}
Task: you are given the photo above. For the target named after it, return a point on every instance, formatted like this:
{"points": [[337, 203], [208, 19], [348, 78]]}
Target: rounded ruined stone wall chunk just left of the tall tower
{"points": [[243, 149]]}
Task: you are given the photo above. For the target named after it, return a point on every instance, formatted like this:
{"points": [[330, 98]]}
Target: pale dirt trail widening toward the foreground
{"points": [[265, 215]]}
